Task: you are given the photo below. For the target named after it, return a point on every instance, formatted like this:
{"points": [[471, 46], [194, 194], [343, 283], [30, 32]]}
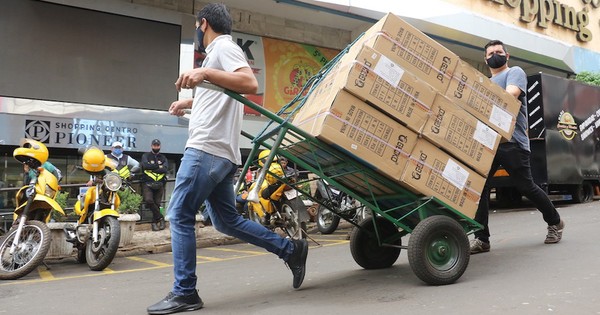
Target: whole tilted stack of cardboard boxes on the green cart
{"points": [[396, 70]]}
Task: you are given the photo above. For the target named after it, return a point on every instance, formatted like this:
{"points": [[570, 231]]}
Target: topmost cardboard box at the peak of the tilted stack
{"points": [[411, 49]]}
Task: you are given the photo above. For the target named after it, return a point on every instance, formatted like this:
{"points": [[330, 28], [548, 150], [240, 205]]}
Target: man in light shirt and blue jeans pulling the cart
{"points": [[210, 161]]}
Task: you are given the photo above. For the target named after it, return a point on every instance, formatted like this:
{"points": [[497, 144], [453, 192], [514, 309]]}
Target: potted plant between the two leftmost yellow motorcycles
{"points": [[59, 248]]}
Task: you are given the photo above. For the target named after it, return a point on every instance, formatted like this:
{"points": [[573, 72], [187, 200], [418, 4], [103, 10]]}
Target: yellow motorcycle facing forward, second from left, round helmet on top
{"points": [[97, 232]]}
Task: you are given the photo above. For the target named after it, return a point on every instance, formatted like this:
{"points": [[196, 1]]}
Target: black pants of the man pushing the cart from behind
{"points": [[515, 161]]}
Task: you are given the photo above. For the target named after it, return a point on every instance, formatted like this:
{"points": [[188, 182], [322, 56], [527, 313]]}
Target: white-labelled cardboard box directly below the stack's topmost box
{"points": [[376, 79]]}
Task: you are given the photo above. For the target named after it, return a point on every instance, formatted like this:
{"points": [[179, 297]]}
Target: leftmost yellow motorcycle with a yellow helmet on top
{"points": [[24, 247]]}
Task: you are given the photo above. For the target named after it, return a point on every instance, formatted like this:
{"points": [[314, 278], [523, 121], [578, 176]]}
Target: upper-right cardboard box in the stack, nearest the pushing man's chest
{"points": [[484, 99]]}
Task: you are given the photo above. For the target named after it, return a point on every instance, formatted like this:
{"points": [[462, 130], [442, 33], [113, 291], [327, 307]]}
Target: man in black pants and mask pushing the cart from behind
{"points": [[514, 154]]}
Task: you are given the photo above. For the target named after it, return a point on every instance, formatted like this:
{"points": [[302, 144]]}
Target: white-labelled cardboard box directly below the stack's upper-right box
{"points": [[462, 135]]}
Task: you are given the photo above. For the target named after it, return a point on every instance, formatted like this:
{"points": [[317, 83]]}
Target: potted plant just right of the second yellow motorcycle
{"points": [[128, 209]]}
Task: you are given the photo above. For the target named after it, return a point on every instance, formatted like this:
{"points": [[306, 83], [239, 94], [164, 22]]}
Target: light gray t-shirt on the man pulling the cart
{"points": [[216, 119]]}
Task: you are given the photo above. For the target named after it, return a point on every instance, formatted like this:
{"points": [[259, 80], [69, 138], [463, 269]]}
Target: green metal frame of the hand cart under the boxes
{"points": [[385, 197]]}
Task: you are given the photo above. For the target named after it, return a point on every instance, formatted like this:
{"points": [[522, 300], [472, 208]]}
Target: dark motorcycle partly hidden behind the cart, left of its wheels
{"points": [[327, 220]]}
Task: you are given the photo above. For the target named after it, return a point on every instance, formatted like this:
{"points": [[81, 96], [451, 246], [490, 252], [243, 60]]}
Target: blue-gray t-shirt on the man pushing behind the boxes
{"points": [[516, 76]]}
